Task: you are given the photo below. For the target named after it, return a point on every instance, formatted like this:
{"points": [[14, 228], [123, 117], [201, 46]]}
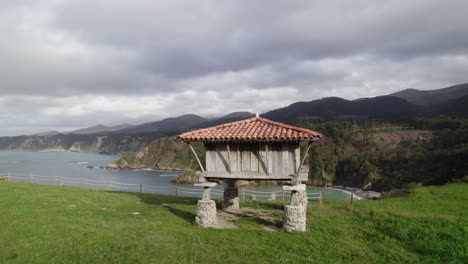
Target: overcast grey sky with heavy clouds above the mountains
{"points": [[71, 64]]}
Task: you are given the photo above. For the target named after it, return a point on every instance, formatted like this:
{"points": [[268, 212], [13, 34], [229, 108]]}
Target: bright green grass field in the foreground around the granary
{"points": [[53, 224]]}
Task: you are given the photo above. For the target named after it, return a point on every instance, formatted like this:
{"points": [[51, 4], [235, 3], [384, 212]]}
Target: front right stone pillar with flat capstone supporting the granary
{"points": [[294, 216]]}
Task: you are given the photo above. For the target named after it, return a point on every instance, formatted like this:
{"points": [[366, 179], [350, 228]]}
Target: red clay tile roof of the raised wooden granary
{"points": [[252, 129]]}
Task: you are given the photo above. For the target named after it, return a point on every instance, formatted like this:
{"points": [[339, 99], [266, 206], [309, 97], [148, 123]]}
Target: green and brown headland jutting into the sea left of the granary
{"points": [[164, 153]]}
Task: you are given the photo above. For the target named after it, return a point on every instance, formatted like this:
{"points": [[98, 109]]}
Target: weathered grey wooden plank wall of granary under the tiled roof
{"points": [[257, 158]]}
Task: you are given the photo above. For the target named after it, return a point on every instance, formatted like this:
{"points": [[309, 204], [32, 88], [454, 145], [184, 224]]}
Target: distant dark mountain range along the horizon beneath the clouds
{"points": [[409, 103]]}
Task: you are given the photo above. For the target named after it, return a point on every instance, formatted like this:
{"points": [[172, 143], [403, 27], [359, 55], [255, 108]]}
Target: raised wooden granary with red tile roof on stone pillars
{"points": [[251, 149]]}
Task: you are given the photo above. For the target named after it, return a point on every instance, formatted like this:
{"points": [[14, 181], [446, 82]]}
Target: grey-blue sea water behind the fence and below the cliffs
{"points": [[71, 168]]}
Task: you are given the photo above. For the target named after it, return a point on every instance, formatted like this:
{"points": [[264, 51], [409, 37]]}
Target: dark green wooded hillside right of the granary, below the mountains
{"points": [[384, 156]]}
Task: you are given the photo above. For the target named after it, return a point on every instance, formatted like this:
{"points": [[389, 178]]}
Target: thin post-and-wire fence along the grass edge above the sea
{"points": [[244, 194]]}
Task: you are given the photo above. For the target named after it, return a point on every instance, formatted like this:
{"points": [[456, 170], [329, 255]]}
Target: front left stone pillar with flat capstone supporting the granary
{"points": [[206, 208]]}
